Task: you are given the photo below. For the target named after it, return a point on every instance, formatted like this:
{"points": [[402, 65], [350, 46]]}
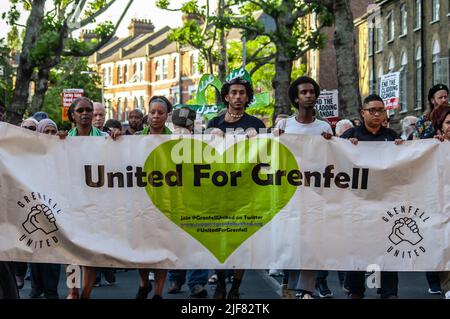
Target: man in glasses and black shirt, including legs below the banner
{"points": [[373, 114]]}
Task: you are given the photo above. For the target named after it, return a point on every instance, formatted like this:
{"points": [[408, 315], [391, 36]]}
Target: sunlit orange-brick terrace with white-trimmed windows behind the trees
{"points": [[145, 63]]}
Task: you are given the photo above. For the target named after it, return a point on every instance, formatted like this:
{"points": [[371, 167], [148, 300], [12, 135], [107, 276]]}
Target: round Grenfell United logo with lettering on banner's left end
{"points": [[39, 228]]}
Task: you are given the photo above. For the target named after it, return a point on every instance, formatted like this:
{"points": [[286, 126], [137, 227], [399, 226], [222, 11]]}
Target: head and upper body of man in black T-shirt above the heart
{"points": [[236, 94]]}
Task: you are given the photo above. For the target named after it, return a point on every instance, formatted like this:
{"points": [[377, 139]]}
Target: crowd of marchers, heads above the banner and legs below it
{"points": [[88, 119]]}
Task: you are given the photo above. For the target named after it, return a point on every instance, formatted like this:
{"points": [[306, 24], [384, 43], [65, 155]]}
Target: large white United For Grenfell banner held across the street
{"points": [[299, 202]]}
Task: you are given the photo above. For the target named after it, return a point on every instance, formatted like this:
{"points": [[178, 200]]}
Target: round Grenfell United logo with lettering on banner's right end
{"points": [[405, 231]]}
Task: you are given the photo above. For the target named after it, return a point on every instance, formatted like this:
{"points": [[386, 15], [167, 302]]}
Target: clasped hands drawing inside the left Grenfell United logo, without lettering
{"points": [[40, 217]]}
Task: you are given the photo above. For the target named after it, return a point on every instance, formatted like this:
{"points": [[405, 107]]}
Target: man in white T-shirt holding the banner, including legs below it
{"points": [[303, 94]]}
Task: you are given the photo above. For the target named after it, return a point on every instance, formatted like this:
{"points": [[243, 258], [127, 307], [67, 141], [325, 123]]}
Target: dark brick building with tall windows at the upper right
{"points": [[410, 37]]}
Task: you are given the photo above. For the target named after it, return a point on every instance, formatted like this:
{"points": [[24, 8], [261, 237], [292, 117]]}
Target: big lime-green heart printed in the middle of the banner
{"points": [[227, 206]]}
